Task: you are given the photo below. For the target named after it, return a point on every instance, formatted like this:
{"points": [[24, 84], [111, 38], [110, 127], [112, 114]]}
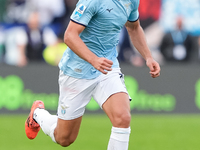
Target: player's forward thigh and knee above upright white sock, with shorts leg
{"points": [[111, 94]]}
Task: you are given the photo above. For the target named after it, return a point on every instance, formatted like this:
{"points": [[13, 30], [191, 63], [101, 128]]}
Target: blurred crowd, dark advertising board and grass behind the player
{"points": [[165, 111]]}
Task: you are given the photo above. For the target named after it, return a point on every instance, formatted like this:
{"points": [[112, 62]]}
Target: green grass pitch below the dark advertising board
{"points": [[149, 132]]}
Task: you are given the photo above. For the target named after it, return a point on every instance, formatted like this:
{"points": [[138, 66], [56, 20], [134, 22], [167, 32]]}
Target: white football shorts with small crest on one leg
{"points": [[75, 93]]}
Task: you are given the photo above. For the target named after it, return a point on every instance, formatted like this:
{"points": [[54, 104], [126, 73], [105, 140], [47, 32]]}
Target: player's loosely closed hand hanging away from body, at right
{"points": [[154, 67]]}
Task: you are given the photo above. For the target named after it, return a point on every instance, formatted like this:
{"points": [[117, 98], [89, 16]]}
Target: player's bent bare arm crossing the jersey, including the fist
{"points": [[74, 42]]}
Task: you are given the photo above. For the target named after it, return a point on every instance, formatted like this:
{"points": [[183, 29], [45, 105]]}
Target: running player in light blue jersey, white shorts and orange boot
{"points": [[89, 68]]}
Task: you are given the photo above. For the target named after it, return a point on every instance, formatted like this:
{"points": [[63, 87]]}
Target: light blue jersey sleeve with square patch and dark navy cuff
{"points": [[84, 11]]}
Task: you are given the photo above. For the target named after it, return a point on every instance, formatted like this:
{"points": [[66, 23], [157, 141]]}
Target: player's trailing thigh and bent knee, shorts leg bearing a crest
{"points": [[74, 96]]}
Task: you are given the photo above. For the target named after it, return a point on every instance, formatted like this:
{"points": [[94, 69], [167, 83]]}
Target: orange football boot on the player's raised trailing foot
{"points": [[31, 126]]}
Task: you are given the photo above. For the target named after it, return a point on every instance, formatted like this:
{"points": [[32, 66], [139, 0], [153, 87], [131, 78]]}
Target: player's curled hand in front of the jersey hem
{"points": [[102, 64]]}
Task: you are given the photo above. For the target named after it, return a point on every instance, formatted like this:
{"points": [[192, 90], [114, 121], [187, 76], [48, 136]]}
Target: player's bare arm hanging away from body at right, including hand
{"points": [[138, 39]]}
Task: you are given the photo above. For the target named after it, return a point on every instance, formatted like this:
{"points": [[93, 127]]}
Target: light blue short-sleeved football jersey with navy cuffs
{"points": [[103, 21]]}
